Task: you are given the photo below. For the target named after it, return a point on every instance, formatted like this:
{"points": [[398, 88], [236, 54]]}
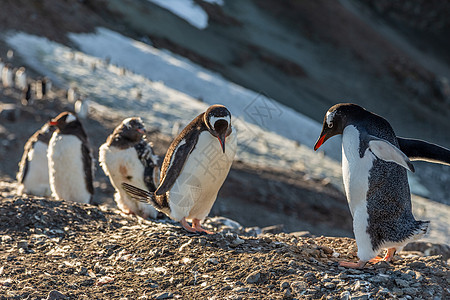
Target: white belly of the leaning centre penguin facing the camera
{"points": [[195, 190]]}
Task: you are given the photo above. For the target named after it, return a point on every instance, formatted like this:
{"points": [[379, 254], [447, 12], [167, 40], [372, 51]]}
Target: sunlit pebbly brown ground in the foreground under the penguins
{"points": [[57, 250]]}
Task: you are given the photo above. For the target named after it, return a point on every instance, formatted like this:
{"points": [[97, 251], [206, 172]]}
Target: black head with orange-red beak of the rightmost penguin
{"points": [[336, 119]]}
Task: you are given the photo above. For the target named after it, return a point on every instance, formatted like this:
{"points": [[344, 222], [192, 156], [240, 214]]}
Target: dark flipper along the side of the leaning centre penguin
{"points": [[177, 161]]}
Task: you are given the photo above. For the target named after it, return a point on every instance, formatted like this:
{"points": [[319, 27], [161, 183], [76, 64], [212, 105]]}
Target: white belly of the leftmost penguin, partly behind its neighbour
{"points": [[36, 180]]}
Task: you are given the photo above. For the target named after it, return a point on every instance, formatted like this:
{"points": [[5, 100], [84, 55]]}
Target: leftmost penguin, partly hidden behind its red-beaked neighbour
{"points": [[33, 167]]}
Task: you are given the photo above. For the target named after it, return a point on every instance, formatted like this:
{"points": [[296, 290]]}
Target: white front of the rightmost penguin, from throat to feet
{"points": [[355, 172]]}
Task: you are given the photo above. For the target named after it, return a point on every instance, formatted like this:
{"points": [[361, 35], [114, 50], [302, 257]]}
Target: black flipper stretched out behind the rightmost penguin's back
{"points": [[422, 150]]}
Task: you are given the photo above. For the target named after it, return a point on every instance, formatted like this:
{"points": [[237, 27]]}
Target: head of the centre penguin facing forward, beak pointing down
{"points": [[218, 120]]}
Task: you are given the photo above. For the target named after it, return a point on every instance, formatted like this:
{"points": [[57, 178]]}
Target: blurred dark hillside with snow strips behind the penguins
{"points": [[277, 65]]}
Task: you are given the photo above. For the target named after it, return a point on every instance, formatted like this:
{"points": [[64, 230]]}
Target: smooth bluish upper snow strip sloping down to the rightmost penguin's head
{"points": [[212, 88]]}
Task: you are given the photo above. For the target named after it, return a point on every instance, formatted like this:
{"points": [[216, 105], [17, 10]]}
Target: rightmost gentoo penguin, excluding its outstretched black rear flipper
{"points": [[375, 181]]}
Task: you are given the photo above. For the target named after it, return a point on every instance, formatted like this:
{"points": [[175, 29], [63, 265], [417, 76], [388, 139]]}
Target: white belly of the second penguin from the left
{"points": [[66, 172]]}
